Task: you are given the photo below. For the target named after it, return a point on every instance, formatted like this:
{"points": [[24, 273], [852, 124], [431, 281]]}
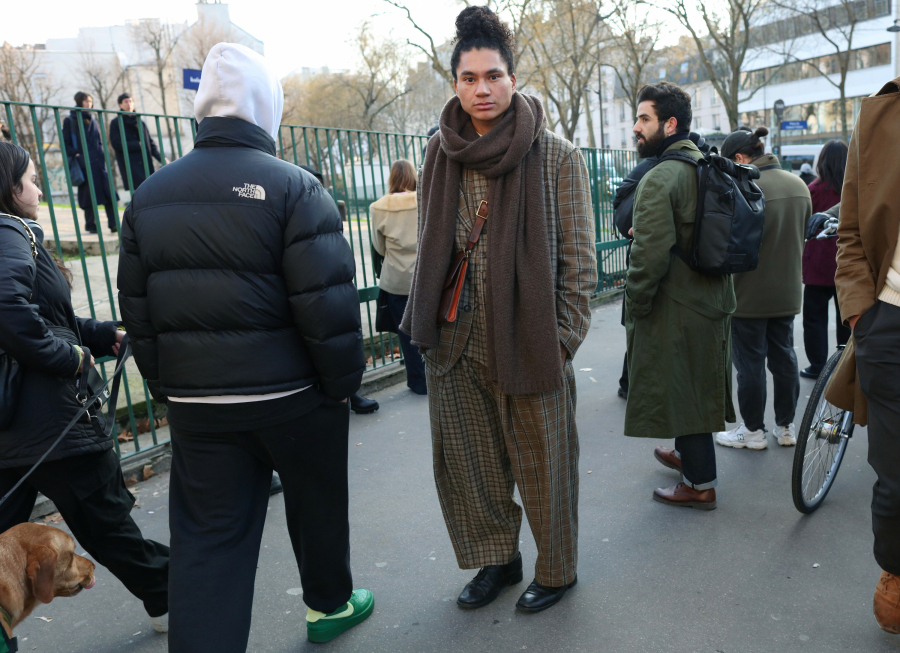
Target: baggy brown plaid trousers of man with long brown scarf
{"points": [[484, 444]]}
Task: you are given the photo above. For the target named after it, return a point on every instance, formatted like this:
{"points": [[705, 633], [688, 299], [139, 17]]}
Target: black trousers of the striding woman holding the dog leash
{"points": [[90, 493]]}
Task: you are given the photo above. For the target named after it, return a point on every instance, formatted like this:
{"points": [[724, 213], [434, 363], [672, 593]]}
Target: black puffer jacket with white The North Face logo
{"points": [[235, 276]]}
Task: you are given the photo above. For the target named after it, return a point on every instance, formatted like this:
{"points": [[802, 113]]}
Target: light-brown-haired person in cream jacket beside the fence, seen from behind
{"points": [[394, 221]]}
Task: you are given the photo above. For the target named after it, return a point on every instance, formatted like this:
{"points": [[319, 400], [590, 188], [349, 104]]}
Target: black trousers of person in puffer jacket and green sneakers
{"points": [[219, 496]]}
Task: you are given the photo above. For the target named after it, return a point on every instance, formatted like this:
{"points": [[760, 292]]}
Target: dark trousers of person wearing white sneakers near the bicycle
{"points": [[754, 343]]}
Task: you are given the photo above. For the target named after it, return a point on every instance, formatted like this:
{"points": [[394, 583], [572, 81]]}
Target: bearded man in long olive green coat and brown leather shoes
{"points": [[678, 322]]}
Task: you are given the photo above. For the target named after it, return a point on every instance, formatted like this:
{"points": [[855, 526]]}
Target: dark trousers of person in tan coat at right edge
{"points": [[877, 337]]}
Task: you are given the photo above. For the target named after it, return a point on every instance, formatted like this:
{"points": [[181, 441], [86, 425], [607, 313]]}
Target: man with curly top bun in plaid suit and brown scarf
{"points": [[500, 380]]}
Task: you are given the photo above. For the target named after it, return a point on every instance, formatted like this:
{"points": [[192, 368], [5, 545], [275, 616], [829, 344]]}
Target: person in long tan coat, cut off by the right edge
{"points": [[867, 379]]}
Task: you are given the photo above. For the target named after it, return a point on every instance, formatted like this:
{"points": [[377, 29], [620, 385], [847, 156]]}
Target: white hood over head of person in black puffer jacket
{"points": [[237, 82]]}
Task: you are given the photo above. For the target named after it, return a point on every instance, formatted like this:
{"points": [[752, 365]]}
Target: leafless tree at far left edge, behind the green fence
{"points": [[22, 80]]}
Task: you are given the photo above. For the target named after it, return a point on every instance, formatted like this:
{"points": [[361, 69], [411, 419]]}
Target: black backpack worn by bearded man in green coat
{"points": [[730, 215]]}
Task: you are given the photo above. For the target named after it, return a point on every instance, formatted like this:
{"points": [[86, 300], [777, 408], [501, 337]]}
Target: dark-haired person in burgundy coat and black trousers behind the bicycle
{"points": [[820, 264]]}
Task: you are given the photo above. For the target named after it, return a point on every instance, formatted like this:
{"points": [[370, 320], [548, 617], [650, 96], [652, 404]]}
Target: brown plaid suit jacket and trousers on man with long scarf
{"points": [[484, 442]]}
